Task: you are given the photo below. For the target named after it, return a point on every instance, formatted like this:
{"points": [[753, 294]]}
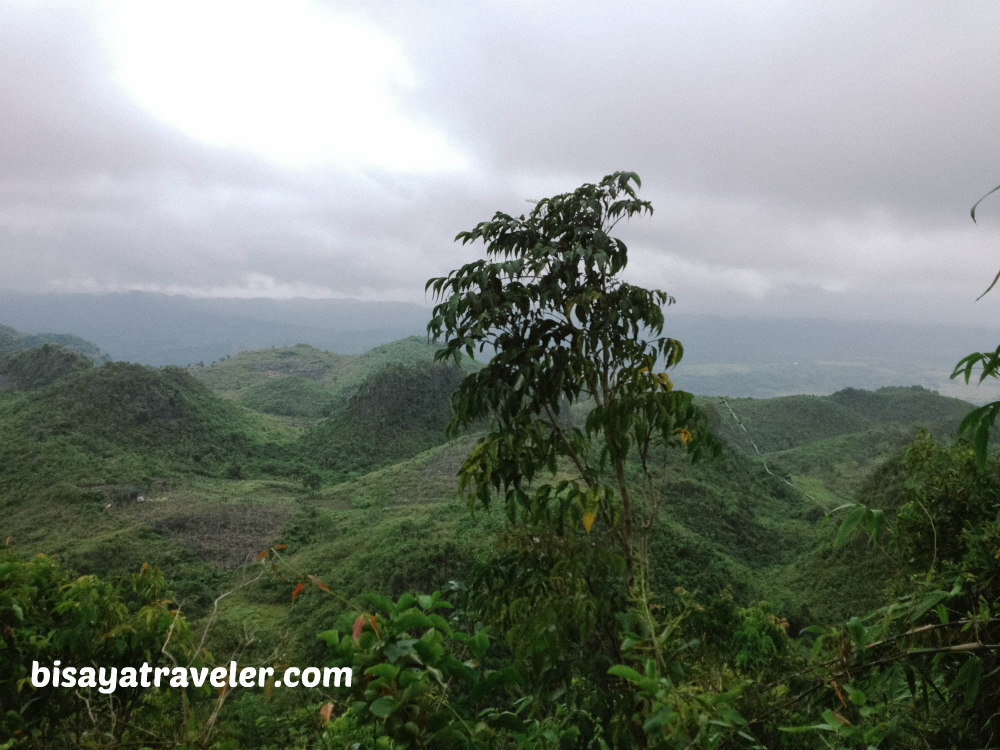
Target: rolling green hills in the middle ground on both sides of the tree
{"points": [[342, 461]]}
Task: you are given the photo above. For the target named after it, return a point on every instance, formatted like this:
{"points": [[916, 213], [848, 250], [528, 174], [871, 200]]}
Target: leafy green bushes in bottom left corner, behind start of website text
{"points": [[48, 616]]}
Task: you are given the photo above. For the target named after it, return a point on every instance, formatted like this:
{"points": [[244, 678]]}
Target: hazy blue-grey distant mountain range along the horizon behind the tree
{"points": [[757, 357]]}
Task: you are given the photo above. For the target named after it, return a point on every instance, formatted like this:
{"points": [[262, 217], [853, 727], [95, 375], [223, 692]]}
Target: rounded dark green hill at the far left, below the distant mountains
{"points": [[123, 422]]}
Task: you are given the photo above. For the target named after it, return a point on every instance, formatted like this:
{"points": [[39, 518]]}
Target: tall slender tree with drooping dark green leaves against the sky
{"points": [[566, 333]]}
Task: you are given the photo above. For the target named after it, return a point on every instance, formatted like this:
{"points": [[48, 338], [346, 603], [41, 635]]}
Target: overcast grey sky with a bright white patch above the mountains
{"points": [[803, 158]]}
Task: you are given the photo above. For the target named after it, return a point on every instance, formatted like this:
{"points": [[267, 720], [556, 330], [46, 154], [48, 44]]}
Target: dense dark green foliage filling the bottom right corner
{"points": [[922, 670]]}
